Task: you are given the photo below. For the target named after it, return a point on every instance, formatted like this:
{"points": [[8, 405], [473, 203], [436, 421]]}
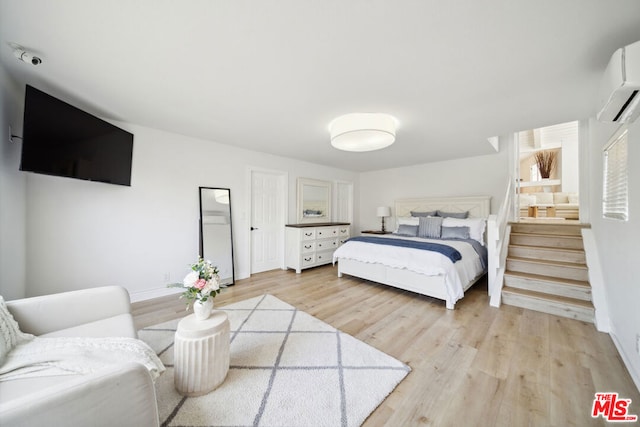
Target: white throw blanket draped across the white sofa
{"points": [[41, 357]]}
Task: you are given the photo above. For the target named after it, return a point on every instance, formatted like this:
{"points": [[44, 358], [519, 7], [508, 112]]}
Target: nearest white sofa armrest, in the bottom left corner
{"points": [[122, 395]]}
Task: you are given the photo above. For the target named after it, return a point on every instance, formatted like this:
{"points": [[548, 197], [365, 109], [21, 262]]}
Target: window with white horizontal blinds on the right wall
{"points": [[615, 194]]}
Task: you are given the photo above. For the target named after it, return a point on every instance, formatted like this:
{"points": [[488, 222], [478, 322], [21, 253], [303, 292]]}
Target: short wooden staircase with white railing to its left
{"points": [[546, 270]]}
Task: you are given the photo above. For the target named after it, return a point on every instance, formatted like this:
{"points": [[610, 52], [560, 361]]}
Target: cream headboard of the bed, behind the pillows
{"points": [[478, 206]]}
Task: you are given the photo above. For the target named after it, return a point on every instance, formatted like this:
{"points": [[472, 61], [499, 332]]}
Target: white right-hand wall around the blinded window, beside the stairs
{"points": [[619, 245]]}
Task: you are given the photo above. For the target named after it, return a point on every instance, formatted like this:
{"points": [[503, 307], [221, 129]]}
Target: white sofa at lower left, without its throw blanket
{"points": [[123, 395]]}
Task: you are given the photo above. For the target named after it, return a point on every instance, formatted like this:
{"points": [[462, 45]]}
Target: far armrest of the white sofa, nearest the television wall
{"points": [[48, 313]]}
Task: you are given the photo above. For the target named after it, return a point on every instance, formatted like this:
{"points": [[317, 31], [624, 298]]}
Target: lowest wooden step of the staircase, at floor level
{"points": [[551, 304]]}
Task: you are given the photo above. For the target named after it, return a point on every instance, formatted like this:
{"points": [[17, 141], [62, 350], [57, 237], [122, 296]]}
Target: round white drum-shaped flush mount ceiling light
{"points": [[363, 131]]}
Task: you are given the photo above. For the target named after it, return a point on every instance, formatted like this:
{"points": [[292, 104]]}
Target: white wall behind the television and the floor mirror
{"points": [[86, 234]]}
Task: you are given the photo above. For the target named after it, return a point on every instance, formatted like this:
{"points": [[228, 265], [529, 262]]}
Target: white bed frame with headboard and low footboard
{"points": [[433, 286]]}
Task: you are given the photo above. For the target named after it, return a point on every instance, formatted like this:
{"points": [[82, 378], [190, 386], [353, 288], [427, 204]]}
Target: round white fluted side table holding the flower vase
{"points": [[201, 354]]}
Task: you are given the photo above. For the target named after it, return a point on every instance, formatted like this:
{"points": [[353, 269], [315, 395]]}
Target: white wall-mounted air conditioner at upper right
{"points": [[619, 97]]}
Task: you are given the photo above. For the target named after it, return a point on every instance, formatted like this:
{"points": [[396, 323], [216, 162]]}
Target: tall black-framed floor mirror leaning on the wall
{"points": [[216, 239]]}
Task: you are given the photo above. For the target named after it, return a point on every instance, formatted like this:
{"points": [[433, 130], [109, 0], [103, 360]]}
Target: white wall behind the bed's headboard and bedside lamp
{"points": [[473, 176]]}
